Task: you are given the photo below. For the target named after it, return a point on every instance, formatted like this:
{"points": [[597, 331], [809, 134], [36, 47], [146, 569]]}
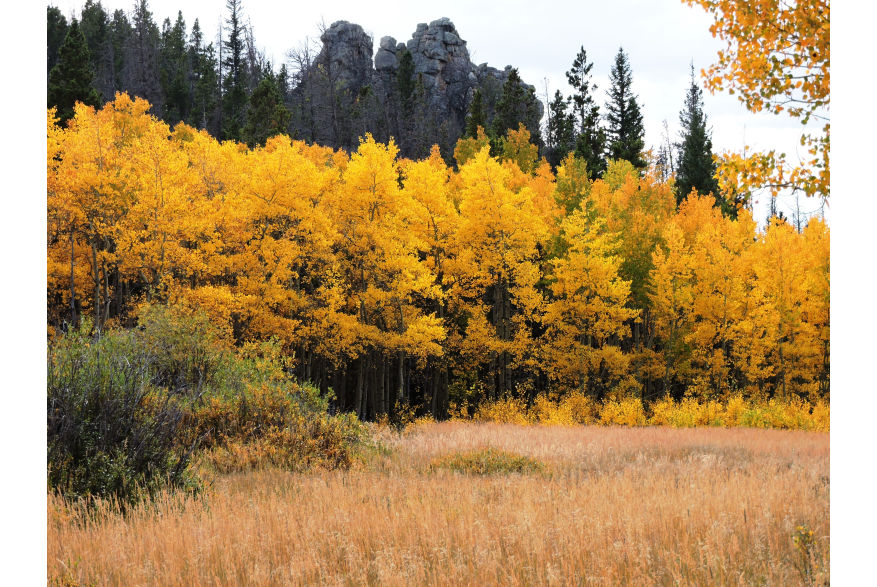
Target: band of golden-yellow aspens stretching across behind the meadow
{"points": [[389, 282]]}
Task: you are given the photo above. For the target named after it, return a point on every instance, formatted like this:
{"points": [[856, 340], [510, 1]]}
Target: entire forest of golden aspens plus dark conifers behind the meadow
{"points": [[504, 259]]}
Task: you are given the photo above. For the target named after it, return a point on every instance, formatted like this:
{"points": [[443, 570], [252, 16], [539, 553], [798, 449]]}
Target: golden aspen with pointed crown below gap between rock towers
{"points": [[383, 267]]}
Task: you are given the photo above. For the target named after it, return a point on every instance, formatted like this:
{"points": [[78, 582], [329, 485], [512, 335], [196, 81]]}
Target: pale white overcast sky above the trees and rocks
{"points": [[661, 38]]}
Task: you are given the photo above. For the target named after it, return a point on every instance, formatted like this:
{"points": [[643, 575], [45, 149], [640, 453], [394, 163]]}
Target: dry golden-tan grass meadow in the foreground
{"points": [[633, 506]]}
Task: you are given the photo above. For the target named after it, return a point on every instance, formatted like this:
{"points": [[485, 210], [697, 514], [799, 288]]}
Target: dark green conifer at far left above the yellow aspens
{"points": [[71, 80]]}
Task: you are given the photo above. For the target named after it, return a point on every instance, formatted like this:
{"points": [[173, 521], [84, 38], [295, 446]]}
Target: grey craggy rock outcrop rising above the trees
{"points": [[441, 60]]}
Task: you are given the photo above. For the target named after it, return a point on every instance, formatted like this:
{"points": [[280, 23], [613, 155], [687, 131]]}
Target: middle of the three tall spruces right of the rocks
{"points": [[626, 133]]}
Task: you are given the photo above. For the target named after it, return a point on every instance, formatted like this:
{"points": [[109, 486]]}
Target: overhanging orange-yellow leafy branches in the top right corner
{"points": [[777, 58]]}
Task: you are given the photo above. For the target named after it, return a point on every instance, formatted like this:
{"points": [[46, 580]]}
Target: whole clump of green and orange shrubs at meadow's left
{"points": [[129, 411]]}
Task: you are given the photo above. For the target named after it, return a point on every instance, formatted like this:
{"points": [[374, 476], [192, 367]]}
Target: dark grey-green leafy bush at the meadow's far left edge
{"points": [[109, 430]]}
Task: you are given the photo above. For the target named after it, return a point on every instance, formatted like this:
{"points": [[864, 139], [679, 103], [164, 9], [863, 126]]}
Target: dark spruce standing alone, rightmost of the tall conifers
{"points": [[696, 168]]}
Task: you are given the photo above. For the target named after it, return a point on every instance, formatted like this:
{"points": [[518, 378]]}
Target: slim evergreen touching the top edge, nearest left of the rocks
{"points": [[234, 95]]}
